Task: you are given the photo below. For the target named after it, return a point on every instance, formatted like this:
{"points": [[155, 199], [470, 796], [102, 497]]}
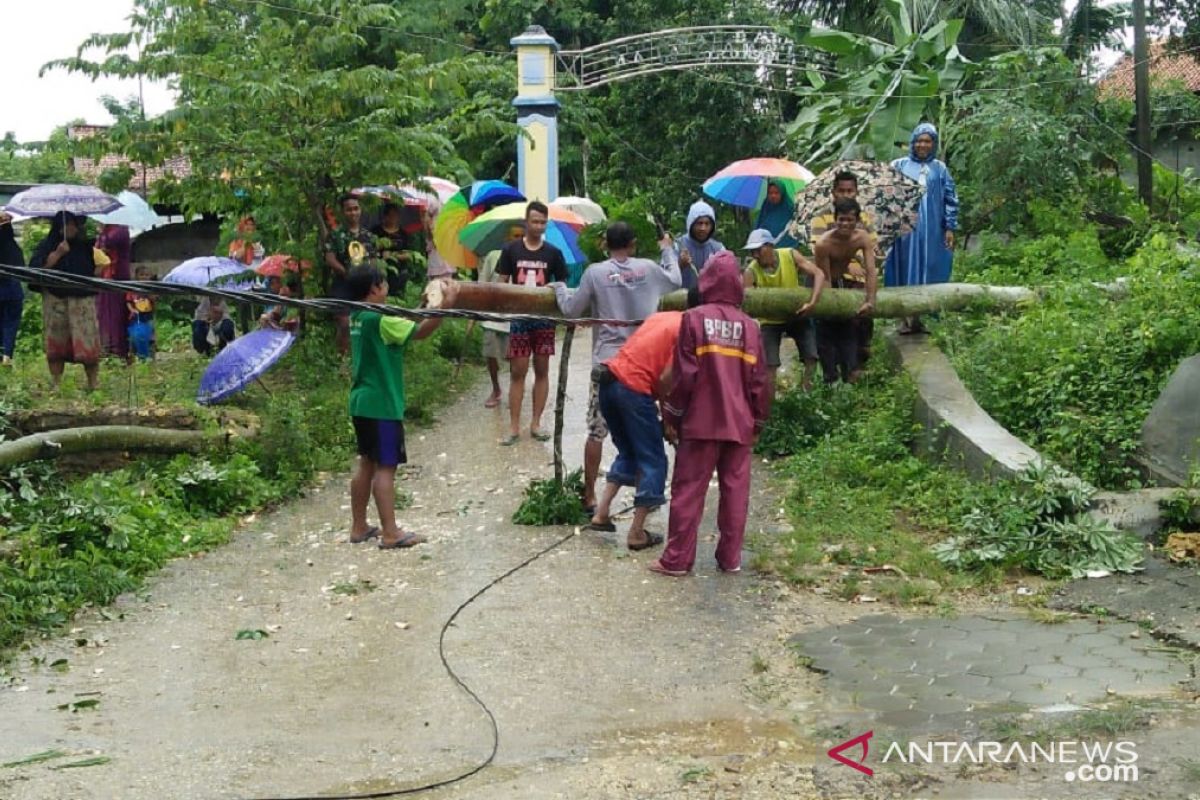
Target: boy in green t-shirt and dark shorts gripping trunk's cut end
{"points": [[377, 406]]}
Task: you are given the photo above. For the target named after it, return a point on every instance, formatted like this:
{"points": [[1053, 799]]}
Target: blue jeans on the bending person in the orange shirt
{"points": [[635, 429]]}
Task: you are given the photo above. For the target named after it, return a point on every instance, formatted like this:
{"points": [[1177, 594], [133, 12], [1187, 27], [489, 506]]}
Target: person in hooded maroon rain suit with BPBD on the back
{"points": [[717, 407]]}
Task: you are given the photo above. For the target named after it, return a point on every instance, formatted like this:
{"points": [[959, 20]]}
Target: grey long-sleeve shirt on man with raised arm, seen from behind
{"points": [[613, 290]]}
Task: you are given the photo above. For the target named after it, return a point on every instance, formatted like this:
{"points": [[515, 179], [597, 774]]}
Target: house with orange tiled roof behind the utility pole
{"points": [[1175, 147]]}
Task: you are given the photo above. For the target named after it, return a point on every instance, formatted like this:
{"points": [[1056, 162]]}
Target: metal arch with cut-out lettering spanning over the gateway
{"points": [[680, 49]]}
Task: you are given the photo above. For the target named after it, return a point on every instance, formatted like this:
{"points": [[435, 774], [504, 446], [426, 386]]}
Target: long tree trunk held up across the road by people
{"points": [[764, 304]]}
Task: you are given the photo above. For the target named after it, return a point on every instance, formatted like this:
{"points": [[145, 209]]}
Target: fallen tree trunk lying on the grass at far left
{"points": [[52, 444]]}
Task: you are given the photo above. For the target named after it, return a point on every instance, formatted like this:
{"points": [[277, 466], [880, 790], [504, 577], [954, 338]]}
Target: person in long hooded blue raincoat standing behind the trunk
{"points": [[927, 255]]}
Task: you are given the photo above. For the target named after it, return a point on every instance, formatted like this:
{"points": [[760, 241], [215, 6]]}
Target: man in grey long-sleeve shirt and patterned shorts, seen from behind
{"points": [[623, 287]]}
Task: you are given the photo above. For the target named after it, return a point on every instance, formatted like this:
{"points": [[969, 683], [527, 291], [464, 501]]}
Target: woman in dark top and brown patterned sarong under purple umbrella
{"points": [[69, 316]]}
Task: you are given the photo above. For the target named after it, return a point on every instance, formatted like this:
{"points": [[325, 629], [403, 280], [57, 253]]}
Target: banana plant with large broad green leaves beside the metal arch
{"points": [[881, 93]]}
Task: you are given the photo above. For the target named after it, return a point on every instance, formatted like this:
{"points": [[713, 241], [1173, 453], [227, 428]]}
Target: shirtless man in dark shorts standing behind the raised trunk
{"points": [[838, 340]]}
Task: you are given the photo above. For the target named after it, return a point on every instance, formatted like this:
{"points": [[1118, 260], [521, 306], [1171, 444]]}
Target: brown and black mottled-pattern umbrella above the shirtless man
{"points": [[889, 196]]}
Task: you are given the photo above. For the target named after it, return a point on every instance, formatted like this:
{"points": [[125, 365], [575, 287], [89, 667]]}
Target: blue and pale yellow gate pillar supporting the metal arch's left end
{"points": [[537, 115]]}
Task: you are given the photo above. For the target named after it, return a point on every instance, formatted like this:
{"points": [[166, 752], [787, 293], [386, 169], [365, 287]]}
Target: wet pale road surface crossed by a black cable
{"points": [[607, 681]]}
